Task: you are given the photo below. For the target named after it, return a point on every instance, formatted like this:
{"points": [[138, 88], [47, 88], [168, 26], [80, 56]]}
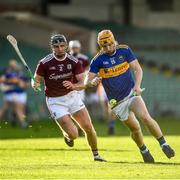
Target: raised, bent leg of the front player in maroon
{"points": [[68, 129]]}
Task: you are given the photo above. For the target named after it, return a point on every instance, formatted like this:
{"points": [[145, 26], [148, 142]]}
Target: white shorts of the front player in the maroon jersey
{"points": [[63, 105]]}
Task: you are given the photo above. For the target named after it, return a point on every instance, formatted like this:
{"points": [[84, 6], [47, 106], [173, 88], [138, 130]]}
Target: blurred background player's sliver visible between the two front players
{"points": [[107, 113]]}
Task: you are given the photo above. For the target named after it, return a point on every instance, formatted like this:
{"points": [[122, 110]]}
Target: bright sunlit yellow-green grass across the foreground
{"points": [[50, 158]]}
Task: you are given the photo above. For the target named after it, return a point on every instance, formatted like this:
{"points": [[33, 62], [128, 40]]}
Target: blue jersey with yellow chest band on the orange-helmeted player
{"points": [[114, 69]]}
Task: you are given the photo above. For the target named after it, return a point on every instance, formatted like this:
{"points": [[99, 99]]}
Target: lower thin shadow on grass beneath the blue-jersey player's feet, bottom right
{"points": [[156, 163]]}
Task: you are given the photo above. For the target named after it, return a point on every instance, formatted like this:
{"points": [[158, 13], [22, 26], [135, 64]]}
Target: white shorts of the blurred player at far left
{"points": [[16, 97]]}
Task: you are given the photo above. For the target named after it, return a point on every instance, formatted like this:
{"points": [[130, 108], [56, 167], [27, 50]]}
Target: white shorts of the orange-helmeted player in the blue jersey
{"points": [[122, 110]]}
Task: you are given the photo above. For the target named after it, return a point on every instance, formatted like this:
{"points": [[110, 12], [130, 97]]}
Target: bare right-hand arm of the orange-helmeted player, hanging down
{"points": [[137, 70]]}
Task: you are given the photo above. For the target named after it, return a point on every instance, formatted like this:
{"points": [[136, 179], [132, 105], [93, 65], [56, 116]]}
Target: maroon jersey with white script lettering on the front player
{"points": [[55, 72]]}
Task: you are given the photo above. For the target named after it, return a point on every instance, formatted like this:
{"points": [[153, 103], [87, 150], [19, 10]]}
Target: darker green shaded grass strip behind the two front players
{"points": [[49, 129]]}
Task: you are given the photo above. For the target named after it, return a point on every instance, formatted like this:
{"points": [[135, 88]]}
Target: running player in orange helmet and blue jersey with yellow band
{"points": [[113, 64]]}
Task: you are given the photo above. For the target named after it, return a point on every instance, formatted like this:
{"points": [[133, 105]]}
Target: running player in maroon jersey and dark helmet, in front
{"points": [[55, 69]]}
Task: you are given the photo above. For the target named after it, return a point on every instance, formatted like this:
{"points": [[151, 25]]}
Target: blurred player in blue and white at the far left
{"points": [[13, 86]]}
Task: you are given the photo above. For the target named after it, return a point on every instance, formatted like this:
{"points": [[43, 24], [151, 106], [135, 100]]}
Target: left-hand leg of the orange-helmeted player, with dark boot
{"points": [[136, 134]]}
